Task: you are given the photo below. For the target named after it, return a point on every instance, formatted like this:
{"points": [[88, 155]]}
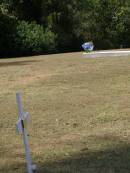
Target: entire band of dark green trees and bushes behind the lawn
{"points": [[39, 26]]}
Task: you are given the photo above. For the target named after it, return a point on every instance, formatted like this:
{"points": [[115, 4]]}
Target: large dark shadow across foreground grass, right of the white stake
{"points": [[116, 160]]}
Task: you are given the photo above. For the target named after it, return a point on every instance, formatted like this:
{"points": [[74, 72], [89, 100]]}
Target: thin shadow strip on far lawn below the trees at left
{"points": [[16, 63]]}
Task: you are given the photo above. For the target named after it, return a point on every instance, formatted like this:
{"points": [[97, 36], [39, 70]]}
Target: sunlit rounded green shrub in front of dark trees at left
{"points": [[32, 38]]}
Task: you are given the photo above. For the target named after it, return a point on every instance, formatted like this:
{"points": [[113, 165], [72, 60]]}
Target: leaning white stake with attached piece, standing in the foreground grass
{"points": [[21, 129]]}
